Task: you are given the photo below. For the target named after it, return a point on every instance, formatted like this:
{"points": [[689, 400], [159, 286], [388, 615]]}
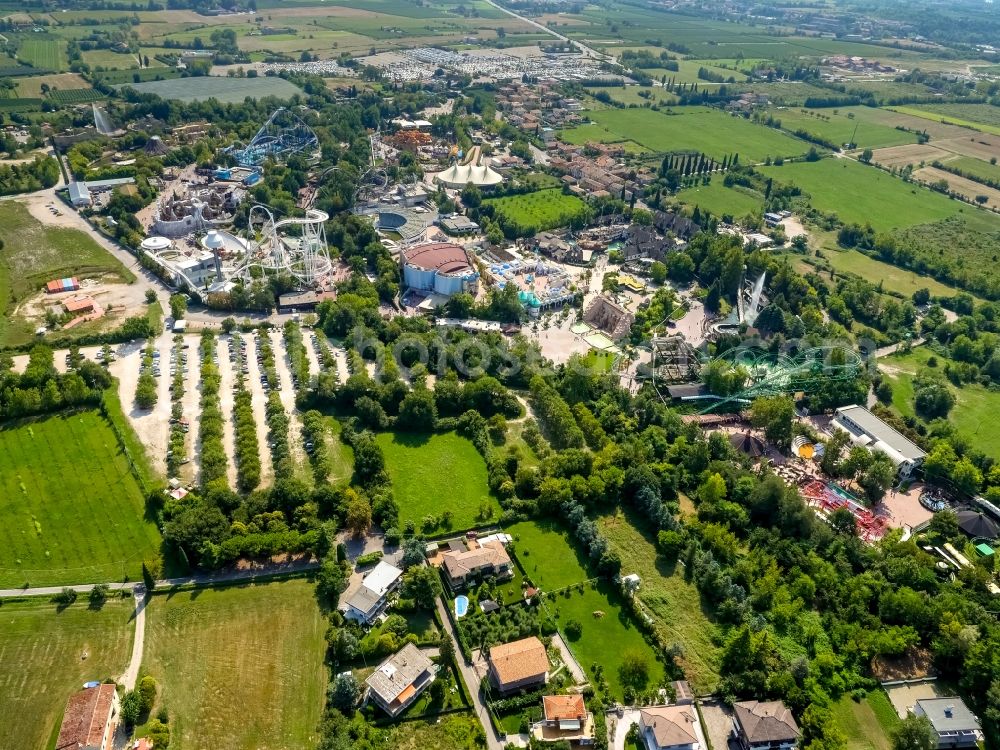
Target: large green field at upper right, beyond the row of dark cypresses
{"points": [[863, 195]]}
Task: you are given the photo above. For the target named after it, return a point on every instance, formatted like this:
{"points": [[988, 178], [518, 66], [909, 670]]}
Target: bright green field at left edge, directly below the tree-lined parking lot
{"points": [[70, 510]]}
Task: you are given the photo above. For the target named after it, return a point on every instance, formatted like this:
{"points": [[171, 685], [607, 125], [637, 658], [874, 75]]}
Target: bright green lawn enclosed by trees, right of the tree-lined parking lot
{"points": [[434, 473]]}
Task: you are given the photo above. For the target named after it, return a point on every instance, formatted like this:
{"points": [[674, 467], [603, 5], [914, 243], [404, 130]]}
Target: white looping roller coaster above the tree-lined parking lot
{"points": [[296, 246]]}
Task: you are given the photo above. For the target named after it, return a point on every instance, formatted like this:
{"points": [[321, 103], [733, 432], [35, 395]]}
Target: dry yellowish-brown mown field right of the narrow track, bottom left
{"points": [[240, 668]]}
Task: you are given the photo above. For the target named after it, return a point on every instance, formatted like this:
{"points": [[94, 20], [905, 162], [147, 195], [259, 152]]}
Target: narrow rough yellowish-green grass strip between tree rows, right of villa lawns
{"points": [[674, 603]]}
